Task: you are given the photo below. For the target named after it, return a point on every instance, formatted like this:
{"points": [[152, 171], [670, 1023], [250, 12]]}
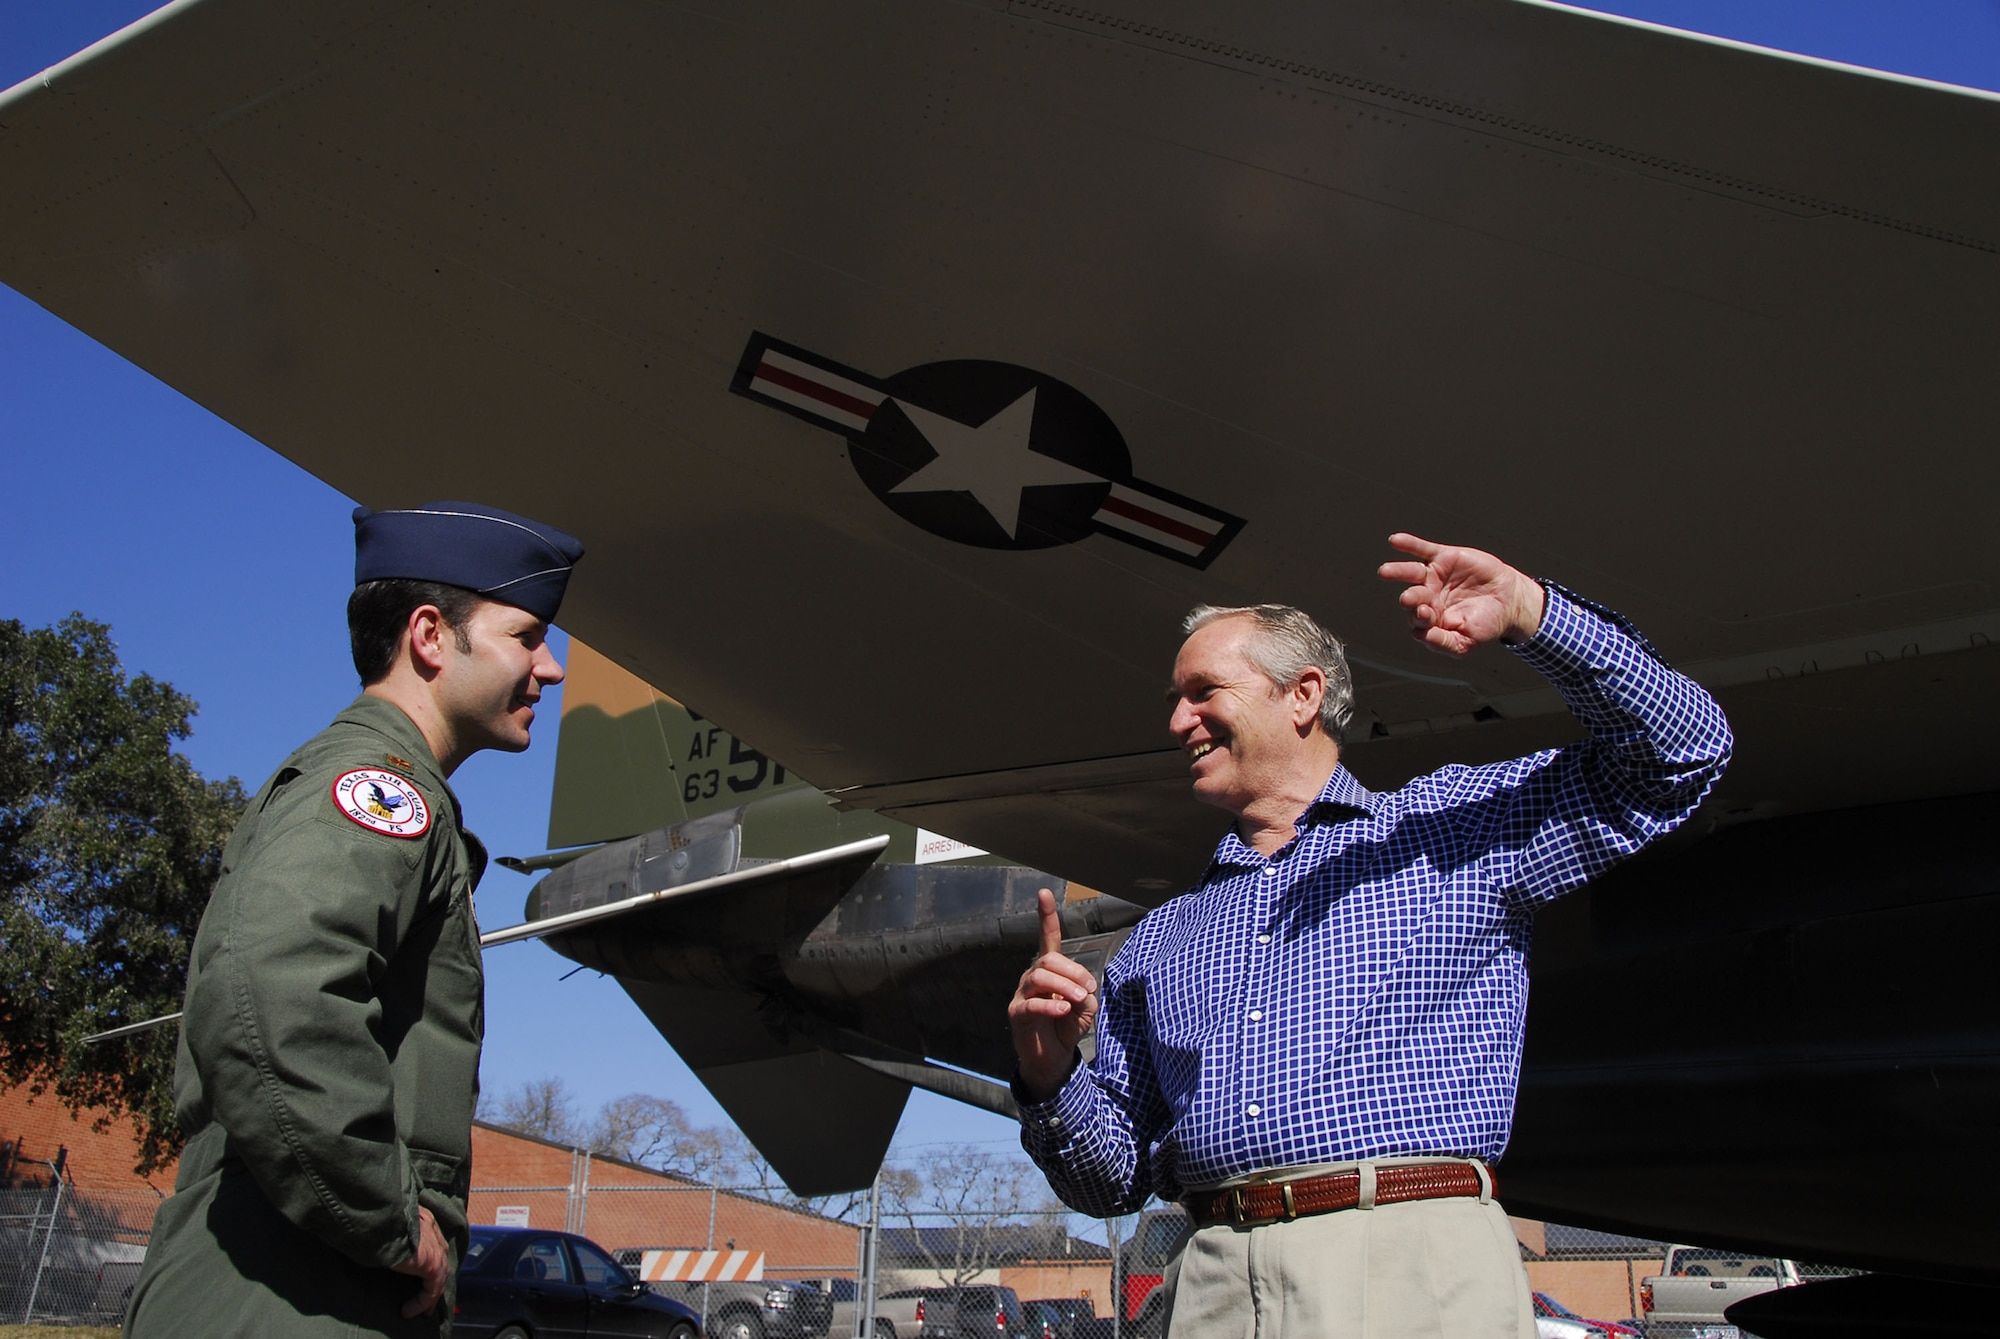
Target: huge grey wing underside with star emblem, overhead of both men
{"points": [[1697, 329]]}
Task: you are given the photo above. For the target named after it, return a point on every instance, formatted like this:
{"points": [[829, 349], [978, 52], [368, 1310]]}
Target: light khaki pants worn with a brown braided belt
{"points": [[1417, 1270]]}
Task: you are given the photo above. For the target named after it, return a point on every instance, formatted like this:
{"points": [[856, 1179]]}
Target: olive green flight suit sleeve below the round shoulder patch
{"points": [[285, 1022]]}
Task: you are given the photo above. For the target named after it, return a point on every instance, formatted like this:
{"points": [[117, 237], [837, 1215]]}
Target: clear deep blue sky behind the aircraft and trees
{"points": [[225, 569]]}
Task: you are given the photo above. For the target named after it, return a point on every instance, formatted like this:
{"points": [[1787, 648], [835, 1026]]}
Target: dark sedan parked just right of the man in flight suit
{"points": [[531, 1284]]}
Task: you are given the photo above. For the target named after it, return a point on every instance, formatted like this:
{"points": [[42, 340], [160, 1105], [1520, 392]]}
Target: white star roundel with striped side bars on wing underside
{"points": [[985, 453]]}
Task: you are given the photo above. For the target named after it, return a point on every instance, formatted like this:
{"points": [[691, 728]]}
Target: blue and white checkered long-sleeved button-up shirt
{"points": [[1361, 994]]}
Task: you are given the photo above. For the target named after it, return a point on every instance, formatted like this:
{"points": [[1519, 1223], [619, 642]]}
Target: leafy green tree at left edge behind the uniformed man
{"points": [[109, 848]]}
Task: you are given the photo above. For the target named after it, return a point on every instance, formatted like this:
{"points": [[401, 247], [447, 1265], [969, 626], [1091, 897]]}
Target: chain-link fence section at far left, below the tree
{"points": [[71, 1256]]}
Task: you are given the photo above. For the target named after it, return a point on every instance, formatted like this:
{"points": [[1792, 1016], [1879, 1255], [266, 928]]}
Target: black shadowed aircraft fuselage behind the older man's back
{"points": [[1719, 1036]]}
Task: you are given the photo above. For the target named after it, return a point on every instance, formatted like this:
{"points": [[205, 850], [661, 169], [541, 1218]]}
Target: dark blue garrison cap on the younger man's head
{"points": [[487, 551]]}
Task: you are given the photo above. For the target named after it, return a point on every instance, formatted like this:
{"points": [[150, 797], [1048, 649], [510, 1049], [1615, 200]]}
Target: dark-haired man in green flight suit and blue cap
{"points": [[331, 1048]]}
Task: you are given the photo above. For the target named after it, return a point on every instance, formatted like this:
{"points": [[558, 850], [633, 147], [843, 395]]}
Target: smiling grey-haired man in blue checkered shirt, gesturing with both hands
{"points": [[1317, 1048]]}
